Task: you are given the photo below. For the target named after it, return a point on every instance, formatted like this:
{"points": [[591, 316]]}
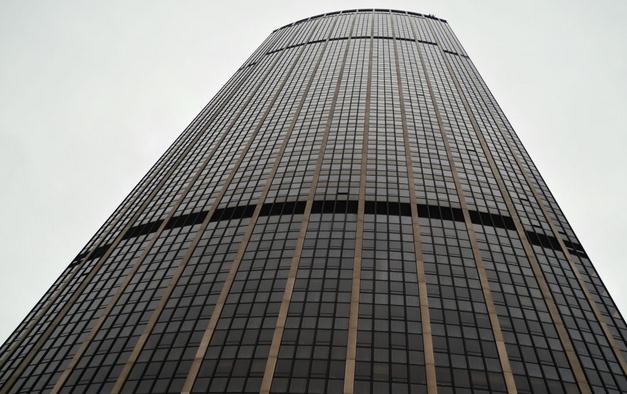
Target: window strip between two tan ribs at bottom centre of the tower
{"points": [[312, 349]]}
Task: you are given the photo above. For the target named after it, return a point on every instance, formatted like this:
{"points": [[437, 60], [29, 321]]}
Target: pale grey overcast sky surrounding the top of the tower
{"points": [[92, 93]]}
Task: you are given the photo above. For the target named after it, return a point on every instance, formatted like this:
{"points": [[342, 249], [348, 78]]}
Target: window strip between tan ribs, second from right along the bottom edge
{"points": [[538, 360]]}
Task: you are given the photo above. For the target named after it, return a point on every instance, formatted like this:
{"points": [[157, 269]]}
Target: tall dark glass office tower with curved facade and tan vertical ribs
{"points": [[352, 213]]}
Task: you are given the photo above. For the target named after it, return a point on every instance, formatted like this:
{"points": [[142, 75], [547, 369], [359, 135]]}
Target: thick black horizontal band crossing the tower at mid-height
{"points": [[340, 207]]}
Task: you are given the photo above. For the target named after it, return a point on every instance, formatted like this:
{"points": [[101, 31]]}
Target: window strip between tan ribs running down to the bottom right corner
{"points": [[589, 332]]}
